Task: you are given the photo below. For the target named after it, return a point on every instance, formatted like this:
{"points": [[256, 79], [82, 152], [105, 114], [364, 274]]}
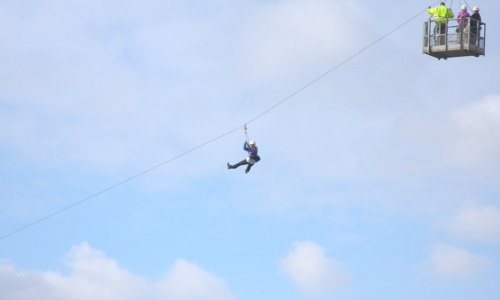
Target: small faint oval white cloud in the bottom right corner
{"points": [[451, 262]]}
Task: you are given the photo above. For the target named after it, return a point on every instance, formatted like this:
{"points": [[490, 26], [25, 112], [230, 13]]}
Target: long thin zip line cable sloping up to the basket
{"points": [[213, 140]]}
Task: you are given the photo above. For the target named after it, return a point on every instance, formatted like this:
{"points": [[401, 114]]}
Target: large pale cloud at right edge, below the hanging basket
{"points": [[466, 138]]}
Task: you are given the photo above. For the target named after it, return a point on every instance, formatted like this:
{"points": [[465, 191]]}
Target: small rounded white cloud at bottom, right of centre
{"points": [[313, 272]]}
